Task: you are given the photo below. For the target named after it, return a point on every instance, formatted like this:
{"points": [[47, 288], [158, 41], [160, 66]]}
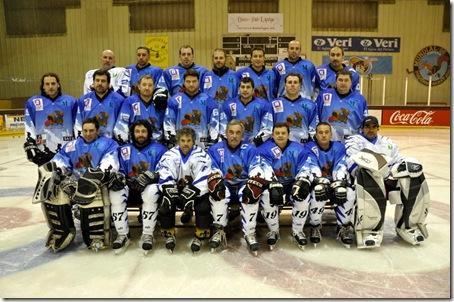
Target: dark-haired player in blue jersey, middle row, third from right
{"points": [[254, 112]]}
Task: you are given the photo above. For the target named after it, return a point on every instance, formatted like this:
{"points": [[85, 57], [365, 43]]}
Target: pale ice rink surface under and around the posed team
{"points": [[395, 270]]}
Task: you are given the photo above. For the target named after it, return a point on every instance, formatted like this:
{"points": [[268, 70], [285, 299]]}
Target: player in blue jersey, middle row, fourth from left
{"points": [[193, 109]]}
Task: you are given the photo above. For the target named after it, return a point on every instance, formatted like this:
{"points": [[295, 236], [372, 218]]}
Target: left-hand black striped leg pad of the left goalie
{"points": [[61, 225]]}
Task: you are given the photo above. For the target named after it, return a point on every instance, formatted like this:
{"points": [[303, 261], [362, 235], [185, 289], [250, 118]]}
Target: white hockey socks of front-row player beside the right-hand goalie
{"points": [[344, 212]]}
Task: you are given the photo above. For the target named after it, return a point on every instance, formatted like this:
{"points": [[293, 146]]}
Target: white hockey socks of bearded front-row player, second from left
{"points": [[150, 197]]}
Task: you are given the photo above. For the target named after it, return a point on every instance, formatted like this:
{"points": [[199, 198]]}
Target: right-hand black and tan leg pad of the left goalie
{"points": [[95, 221]]}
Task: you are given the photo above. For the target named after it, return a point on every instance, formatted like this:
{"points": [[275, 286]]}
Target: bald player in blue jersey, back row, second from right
{"points": [[295, 64]]}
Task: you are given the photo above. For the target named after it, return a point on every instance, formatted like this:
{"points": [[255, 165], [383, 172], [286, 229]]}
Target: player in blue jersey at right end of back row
{"points": [[327, 72]]}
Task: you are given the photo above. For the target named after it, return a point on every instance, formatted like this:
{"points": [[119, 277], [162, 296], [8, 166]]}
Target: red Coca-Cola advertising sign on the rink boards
{"points": [[415, 117]]}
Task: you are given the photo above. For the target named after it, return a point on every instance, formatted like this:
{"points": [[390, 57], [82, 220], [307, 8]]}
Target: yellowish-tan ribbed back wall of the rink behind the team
{"points": [[98, 25]]}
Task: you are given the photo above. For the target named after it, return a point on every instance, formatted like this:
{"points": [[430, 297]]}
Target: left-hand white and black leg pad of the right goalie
{"points": [[371, 203]]}
